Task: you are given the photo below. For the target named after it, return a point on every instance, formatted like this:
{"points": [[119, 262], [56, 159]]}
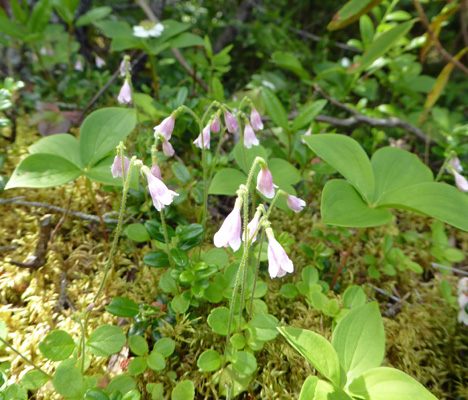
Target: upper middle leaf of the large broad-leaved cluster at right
{"points": [[396, 168]]}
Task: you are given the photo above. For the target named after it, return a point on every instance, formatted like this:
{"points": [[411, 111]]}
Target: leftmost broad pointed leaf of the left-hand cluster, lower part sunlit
{"points": [[43, 170]]}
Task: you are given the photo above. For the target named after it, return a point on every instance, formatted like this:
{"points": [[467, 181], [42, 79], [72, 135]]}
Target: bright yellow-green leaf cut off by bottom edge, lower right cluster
{"points": [[388, 384]]}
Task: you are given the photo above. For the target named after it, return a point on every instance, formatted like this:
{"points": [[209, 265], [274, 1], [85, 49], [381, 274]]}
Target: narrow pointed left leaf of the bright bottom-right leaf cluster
{"points": [[316, 349]]}
